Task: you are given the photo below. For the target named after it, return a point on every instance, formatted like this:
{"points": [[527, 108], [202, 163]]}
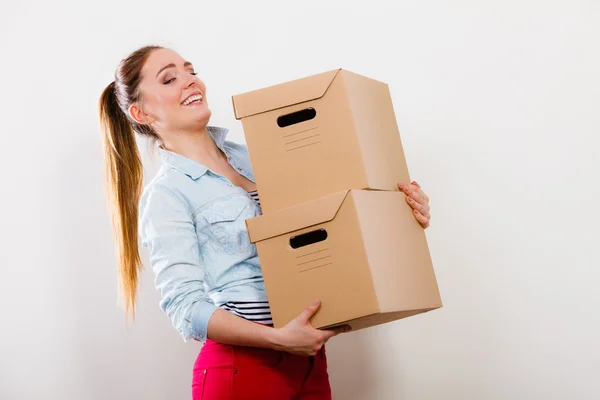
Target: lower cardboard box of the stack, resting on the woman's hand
{"points": [[362, 253]]}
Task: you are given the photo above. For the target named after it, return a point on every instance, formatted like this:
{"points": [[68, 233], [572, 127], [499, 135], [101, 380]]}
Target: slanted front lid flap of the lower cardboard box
{"points": [[300, 216]]}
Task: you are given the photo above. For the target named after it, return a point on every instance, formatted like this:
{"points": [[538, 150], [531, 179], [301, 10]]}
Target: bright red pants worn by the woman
{"points": [[227, 372]]}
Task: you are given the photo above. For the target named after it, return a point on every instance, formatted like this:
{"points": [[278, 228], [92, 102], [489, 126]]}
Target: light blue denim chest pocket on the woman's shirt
{"points": [[227, 224]]}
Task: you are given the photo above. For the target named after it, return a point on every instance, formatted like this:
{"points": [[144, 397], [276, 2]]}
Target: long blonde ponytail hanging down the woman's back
{"points": [[123, 185]]}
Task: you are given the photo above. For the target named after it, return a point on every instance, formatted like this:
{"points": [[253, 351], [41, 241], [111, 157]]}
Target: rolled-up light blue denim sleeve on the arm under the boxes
{"points": [[167, 229]]}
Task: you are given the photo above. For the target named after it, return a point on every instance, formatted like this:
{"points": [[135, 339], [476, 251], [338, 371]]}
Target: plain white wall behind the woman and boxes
{"points": [[497, 104]]}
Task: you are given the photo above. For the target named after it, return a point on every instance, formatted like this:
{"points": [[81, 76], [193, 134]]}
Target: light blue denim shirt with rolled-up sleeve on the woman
{"points": [[192, 220]]}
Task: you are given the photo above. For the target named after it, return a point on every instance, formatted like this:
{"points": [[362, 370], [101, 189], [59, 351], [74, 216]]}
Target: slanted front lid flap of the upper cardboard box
{"points": [[282, 95]]}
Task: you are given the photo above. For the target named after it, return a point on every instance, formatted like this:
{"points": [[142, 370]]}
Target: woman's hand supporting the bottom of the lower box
{"points": [[300, 337]]}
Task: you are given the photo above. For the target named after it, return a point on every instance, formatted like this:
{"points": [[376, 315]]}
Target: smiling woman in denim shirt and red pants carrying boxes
{"points": [[191, 218]]}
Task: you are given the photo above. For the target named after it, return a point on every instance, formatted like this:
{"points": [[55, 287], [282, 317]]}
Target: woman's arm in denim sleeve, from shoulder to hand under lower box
{"points": [[167, 230]]}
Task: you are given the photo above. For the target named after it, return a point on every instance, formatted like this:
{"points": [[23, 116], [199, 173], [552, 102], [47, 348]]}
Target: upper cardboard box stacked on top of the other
{"points": [[318, 135]]}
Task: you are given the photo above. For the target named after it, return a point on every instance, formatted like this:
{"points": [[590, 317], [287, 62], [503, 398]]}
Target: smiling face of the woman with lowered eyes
{"points": [[167, 83]]}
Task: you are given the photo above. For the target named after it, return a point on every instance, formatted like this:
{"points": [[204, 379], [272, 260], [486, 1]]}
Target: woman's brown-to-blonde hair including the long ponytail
{"points": [[123, 168]]}
